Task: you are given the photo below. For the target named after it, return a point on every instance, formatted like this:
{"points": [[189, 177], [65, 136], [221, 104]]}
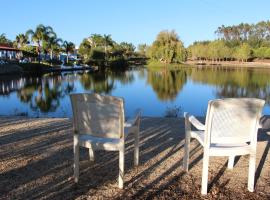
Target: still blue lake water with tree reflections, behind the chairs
{"points": [[154, 91]]}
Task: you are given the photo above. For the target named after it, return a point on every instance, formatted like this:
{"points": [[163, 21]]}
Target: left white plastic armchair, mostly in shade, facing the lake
{"points": [[98, 123]]}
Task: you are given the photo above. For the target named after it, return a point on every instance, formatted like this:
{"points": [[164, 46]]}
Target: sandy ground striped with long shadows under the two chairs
{"points": [[36, 159]]}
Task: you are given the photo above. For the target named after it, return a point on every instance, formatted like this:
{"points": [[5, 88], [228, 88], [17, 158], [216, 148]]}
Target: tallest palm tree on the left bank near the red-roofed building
{"points": [[40, 35]]}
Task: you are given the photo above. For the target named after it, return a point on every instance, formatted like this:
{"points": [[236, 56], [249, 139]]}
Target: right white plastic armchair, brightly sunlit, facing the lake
{"points": [[230, 129]]}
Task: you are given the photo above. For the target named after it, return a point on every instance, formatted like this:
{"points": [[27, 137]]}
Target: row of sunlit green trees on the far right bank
{"points": [[241, 42]]}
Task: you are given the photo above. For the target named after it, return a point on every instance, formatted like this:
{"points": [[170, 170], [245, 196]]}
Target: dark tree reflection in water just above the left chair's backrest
{"points": [[98, 82]]}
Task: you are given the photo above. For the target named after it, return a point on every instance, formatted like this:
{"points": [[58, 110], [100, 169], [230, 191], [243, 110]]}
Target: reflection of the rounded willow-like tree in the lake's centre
{"points": [[167, 83]]}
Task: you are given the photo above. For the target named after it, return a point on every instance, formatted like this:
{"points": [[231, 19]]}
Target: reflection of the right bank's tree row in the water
{"points": [[236, 83]]}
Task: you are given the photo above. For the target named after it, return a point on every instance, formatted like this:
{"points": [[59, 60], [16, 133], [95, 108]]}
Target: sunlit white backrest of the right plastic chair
{"points": [[233, 120]]}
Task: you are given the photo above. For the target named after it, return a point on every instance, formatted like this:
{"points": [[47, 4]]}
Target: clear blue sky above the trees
{"points": [[136, 21]]}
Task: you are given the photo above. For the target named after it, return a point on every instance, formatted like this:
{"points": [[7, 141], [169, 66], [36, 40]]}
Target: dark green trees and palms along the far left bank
{"points": [[43, 44]]}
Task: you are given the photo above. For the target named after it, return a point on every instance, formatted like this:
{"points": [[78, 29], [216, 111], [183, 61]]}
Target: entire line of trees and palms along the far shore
{"points": [[241, 42]]}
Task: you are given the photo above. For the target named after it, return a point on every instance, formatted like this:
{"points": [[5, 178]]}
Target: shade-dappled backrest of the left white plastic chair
{"points": [[98, 115]]}
